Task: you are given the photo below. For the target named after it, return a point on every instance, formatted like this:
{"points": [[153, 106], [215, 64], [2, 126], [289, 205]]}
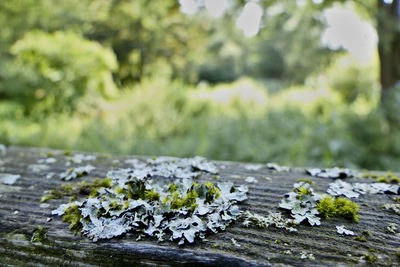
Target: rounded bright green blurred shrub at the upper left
{"points": [[53, 71]]}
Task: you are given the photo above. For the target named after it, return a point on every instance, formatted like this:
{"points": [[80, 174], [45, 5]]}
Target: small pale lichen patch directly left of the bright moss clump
{"points": [[302, 203]]}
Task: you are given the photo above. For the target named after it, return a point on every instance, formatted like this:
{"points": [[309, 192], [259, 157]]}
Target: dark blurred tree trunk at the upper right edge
{"points": [[388, 26]]}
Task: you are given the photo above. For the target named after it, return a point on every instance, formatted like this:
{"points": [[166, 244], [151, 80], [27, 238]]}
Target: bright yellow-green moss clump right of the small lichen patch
{"points": [[338, 207]]}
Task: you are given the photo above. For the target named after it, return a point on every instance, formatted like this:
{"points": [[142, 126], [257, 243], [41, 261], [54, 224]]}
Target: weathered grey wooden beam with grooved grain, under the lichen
{"points": [[21, 214]]}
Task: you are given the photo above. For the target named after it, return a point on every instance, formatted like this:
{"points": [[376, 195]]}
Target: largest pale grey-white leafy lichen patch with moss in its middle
{"points": [[159, 198]]}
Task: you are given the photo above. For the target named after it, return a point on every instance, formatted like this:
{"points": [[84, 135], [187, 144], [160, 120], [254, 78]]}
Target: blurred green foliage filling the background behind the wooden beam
{"points": [[140, 77]]}
